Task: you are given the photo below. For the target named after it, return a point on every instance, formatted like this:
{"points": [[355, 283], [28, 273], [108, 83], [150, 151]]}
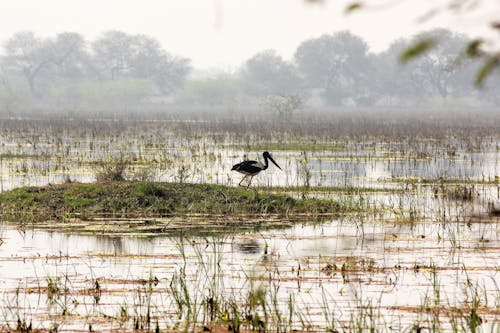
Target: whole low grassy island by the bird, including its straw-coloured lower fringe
{"points": [[154, 207]]}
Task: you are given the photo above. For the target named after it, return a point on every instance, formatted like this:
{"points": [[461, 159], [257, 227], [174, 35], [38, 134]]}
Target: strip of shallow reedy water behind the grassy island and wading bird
{"points": [[168, 158]]}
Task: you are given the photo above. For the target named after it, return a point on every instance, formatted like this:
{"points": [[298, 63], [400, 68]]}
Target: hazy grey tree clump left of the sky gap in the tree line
{"points": [[66, 69]]}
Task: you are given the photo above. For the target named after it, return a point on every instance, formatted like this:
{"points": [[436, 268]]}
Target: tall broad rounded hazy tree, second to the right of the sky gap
{"points": [[340, 65]]}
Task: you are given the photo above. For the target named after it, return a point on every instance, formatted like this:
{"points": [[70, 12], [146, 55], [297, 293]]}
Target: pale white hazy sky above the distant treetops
{"points": [[224, 33]]}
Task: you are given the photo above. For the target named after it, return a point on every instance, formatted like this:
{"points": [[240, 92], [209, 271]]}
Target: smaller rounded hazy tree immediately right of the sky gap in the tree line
{"points": [[266, 74]]}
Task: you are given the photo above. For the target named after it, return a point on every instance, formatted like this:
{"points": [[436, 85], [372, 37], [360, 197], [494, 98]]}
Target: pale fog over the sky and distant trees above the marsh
{"points": [[274, 57]]}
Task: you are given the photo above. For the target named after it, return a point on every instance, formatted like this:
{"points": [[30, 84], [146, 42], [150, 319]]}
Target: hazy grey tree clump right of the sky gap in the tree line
{"points": [[339, 69]]}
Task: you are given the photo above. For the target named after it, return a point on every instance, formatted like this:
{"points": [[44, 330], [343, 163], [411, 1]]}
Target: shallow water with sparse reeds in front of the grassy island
{"points": [[386, 263]]}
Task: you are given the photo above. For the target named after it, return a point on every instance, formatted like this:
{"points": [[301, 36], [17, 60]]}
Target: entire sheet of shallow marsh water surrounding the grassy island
{"points": [[417, 251]]}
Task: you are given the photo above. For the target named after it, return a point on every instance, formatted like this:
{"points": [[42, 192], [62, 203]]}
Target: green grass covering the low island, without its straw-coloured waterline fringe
{"points": [[148, 200]]}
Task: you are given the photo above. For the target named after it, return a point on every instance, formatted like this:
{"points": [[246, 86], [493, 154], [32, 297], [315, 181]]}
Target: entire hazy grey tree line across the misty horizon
{"points": [[335, 69]]}
